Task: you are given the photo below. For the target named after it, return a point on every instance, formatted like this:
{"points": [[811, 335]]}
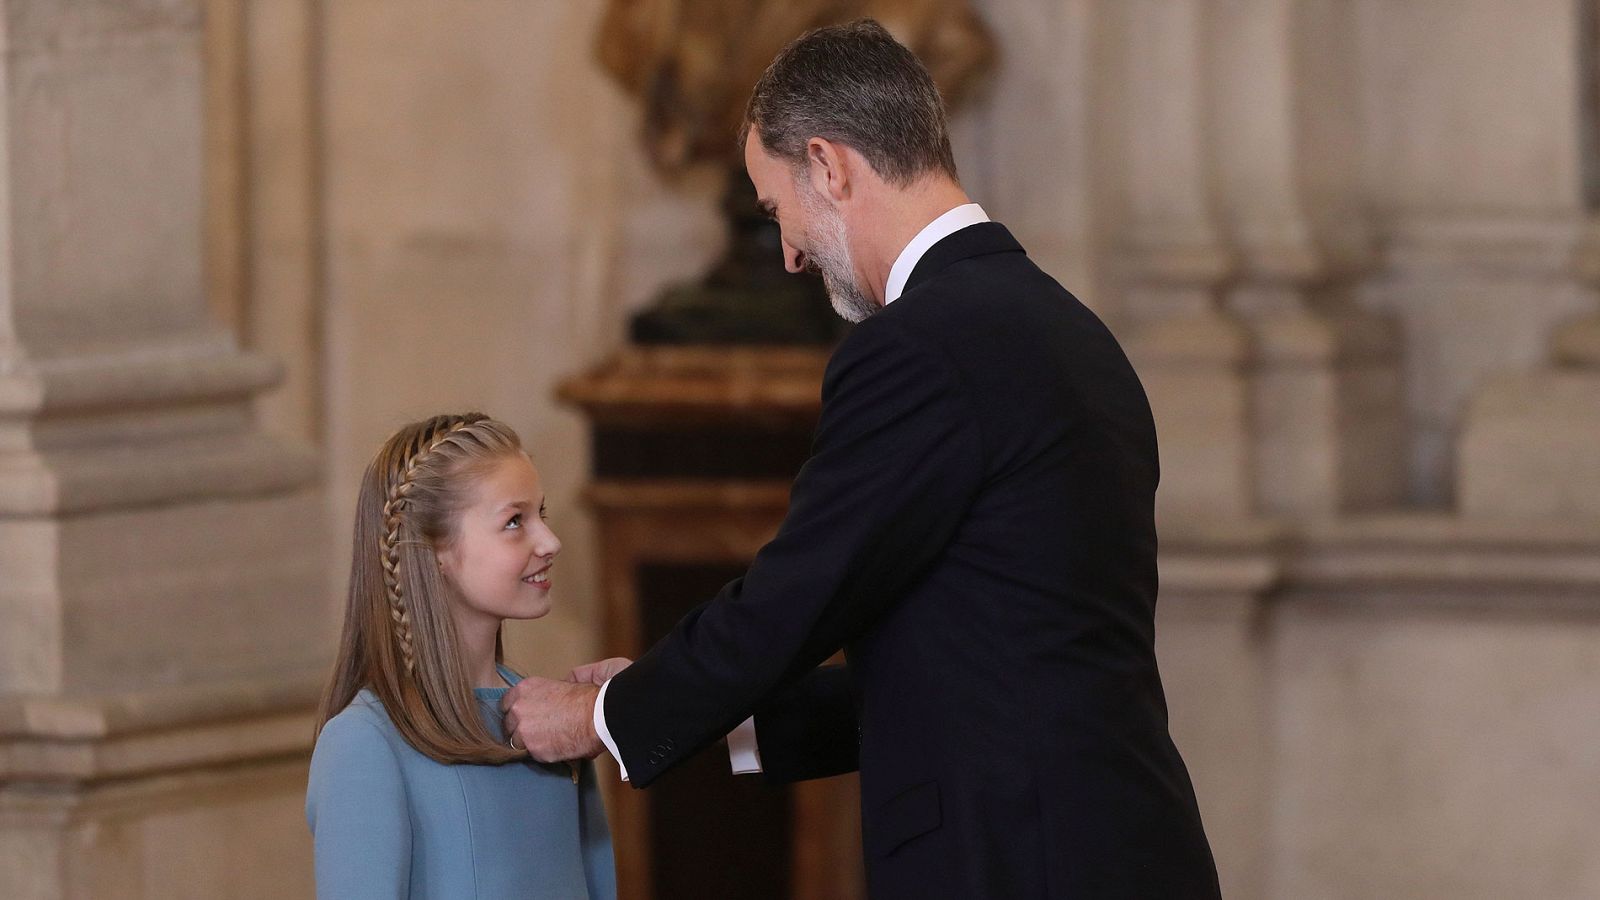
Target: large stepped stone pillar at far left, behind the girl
{"points": [[164, 622]]}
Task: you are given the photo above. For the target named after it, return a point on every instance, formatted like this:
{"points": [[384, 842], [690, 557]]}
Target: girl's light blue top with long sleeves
{"points": [[390, 822]]}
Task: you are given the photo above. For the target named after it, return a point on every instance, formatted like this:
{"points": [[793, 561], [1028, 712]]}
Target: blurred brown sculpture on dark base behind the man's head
{"points": [[692, 65]]}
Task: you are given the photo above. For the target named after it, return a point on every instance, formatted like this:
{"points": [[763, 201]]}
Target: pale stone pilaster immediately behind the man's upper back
{"points": [[1174, 263]]}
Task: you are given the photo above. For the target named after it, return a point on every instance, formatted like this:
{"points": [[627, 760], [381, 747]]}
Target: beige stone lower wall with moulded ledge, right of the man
{"points": [[1388, 707]]}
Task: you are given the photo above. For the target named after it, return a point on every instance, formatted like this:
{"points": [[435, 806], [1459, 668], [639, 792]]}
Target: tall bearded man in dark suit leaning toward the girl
{"points": [[975, 529]]}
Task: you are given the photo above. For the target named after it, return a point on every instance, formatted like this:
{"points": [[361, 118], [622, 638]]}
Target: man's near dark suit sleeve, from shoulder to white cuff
{"points": [[895, 467]]}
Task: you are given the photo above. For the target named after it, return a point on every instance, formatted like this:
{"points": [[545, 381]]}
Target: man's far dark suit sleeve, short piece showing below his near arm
{"points": [[810, 729]]}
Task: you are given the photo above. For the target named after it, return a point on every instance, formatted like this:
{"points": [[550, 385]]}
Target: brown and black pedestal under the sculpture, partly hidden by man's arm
{"points": [[694, 456]]}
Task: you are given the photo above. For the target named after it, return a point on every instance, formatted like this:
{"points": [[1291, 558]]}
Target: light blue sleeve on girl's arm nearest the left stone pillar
{"points": [[359, 816]]}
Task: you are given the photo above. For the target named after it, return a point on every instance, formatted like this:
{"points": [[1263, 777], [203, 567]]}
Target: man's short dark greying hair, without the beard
{"points": [[860, 87]]}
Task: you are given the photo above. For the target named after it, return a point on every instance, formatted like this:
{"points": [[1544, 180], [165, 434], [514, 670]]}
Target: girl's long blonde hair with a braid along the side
{"points": [[399, 638]]}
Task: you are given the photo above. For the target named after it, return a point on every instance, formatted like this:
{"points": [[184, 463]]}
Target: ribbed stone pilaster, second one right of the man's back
{"points": [[1326, 387]]}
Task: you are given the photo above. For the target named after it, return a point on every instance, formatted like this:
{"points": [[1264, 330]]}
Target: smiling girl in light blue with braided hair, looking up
{"points": [[414, 789]]}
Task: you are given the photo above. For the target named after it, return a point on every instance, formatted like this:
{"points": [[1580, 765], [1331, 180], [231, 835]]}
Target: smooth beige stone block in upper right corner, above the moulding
{"points": [[1444, 124]]}
